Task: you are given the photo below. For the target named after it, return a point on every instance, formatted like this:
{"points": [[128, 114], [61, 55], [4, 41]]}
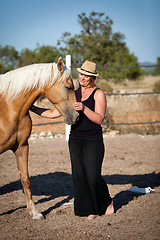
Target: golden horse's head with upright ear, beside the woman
{"points": [[62, 94]]}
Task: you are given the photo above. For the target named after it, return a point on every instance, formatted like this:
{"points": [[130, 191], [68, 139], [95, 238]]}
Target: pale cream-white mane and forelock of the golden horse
{"points": [[29, 77]]}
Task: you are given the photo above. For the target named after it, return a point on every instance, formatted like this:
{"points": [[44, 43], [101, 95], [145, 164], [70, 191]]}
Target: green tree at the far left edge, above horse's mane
{"points": [[8, 58]]}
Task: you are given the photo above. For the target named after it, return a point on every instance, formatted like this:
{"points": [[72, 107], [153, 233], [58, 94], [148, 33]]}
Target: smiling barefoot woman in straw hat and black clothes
{"points": [[86, 146]]}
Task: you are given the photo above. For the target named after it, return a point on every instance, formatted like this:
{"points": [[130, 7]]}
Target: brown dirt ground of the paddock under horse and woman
{"points": [[129, 160]]}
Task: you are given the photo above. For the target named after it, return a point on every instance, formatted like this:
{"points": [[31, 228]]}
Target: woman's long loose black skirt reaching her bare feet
{"points": [[91, 195]]}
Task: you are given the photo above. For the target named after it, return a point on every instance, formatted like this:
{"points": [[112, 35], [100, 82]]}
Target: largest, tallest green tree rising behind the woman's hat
{"points": [[98, 43]]}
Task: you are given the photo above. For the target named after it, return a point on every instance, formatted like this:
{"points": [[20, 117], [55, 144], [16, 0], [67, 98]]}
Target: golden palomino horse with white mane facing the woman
{"points": [[19, 89]]}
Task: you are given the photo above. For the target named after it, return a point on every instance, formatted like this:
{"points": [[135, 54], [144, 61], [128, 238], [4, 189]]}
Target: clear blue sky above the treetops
{"points": [[24, 23]]}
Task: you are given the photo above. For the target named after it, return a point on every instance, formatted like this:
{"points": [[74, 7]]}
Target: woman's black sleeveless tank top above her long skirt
{"points": [[85, 128]]}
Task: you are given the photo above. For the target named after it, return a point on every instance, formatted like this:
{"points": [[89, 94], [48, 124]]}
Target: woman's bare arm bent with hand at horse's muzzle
{"points": [[98, 115]]}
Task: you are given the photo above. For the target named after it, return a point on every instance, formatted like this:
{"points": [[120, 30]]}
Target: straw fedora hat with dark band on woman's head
{"points": [[88, 68]]}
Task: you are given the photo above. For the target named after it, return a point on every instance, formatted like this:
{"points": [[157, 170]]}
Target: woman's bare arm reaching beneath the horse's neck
{"points": [[47, 113]]}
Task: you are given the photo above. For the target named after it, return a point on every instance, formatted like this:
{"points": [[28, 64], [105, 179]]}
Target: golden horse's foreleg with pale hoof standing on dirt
{"points": [[22, 163]]}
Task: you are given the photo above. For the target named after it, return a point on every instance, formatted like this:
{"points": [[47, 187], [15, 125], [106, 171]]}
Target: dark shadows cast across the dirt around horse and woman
{"points": [[59, 184]]}
